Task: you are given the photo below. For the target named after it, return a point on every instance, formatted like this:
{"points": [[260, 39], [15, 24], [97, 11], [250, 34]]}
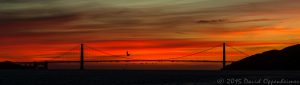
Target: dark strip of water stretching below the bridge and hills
{"points": [[139, 77]]}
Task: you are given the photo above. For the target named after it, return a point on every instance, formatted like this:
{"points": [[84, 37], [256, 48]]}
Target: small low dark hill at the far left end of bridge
{"points": [[10, 65]]}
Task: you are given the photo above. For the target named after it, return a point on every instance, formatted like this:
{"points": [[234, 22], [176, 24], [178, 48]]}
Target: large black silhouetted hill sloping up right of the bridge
{"points": [[285, 59]]}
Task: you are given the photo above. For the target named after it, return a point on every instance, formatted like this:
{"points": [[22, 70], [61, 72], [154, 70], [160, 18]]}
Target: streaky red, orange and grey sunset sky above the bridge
{"points": [[37, 30]]}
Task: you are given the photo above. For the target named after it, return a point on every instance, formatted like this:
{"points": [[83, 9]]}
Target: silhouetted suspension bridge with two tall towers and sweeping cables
{"points": [[127, 58]]}
